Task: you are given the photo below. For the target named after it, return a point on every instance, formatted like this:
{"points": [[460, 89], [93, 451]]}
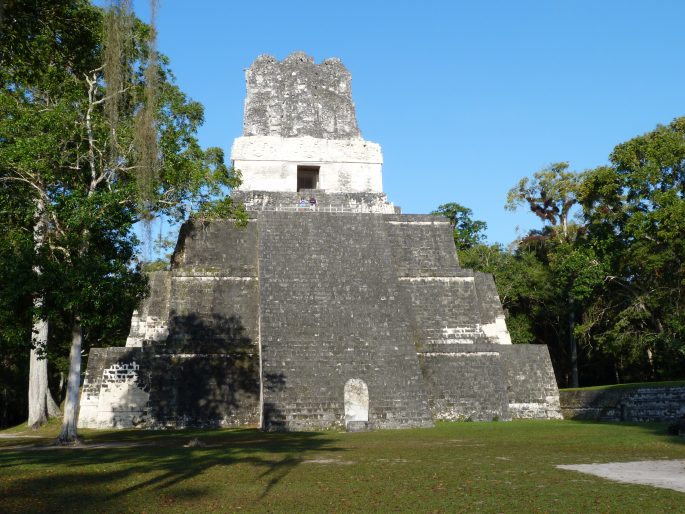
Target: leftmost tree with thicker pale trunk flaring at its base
{"points": [[32, 71]]}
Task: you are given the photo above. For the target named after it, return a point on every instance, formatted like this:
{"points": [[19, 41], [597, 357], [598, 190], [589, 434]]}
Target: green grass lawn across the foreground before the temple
{"points": [[455, 467]]}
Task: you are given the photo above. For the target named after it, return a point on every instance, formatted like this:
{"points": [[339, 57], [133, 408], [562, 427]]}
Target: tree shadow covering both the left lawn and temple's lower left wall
{"points": [[205, 374]]}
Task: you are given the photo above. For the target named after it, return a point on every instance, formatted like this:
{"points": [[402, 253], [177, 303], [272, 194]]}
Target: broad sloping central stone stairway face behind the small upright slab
{"points": [[331, 311]]}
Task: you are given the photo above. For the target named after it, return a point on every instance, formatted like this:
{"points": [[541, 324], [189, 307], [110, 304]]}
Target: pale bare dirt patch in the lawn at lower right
{"points": [[669, 474]]}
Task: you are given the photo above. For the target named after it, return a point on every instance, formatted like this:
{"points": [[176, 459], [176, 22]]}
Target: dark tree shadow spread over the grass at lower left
{"points": [[161, 469]]}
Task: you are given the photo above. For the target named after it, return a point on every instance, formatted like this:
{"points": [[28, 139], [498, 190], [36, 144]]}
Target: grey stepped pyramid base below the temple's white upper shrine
{"points": [[272, 322]]}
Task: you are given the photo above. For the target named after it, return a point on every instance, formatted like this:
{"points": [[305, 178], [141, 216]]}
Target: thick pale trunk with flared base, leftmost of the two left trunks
{"points": [[41, 404]]}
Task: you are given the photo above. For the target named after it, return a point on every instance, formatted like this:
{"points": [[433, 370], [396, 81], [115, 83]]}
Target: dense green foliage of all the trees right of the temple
{"points": [[618, 272]]}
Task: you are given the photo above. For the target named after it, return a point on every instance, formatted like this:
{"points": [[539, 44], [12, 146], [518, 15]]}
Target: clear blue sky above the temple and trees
{"points": [[465, 98]]}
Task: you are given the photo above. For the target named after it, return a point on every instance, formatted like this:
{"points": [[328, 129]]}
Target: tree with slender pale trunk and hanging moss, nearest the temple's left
{"points": [[88, 163]]}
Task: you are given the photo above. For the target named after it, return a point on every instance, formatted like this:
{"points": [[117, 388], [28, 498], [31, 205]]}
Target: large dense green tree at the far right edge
{"points": [[635, 214]]}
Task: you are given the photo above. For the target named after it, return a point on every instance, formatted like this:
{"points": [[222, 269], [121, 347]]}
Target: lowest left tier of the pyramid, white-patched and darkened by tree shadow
{"points": [[149, 388]]}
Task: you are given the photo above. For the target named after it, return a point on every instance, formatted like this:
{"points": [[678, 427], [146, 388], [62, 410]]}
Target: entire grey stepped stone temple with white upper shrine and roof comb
{"points": [[330, 309]]}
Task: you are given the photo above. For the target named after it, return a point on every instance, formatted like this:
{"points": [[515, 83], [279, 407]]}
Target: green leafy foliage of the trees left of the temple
{"points": [[70, 153]]}
